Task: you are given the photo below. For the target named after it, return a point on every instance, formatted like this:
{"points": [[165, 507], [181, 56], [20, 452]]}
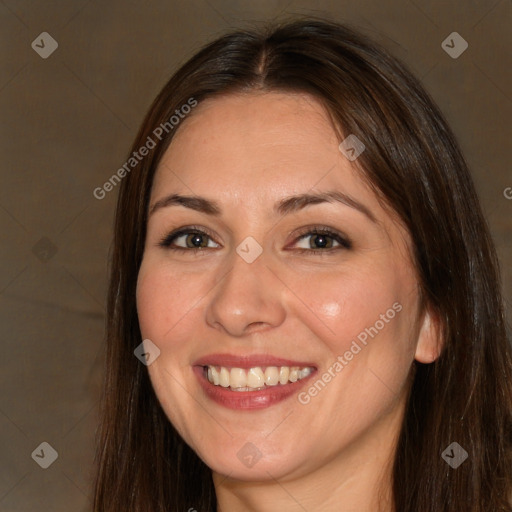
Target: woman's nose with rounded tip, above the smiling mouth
{"points": [[248, 299]]}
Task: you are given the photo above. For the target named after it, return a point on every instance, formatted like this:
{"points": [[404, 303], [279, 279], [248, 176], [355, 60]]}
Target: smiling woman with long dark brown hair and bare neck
{"points": [[301, 248]]}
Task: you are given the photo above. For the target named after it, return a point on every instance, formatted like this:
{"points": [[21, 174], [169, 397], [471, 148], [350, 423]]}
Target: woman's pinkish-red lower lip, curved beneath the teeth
{"points": [[248, 400]]}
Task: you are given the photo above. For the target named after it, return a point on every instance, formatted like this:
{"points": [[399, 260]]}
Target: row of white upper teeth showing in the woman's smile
{"points": [[241, 379]]}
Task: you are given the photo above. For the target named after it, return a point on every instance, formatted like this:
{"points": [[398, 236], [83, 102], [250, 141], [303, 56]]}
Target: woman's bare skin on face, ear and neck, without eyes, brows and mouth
{"points": [[247, 152]]}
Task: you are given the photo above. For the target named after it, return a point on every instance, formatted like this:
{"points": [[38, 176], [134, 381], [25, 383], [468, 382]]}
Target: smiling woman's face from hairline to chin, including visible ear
{"points": [[300, 275]]}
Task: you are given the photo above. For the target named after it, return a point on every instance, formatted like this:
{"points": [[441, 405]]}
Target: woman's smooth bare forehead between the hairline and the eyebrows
{"points": [[268, 144]]}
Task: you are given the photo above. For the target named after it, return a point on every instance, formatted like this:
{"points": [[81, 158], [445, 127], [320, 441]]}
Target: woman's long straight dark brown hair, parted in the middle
{"points": [[414, 164]]}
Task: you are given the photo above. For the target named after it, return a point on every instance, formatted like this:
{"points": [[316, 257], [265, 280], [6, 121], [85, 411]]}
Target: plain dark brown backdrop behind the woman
{"points": [[67, 123]]}
